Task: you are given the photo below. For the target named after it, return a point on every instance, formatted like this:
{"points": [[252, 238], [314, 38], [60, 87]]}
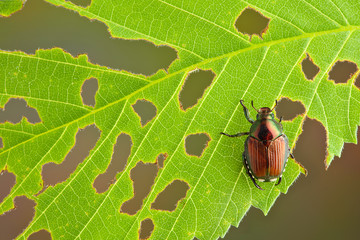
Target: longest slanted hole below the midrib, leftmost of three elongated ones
{"points": [[86, 139]]}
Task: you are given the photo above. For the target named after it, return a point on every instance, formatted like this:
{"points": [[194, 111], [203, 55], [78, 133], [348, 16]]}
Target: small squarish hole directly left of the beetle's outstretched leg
{"points": [[195, 144]]}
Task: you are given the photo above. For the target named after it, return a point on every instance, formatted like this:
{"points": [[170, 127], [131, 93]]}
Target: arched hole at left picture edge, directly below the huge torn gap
{"points": [[16, 109]]}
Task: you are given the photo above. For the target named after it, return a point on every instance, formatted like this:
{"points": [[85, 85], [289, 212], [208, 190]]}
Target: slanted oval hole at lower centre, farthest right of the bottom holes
{"points": [[168, 199]]}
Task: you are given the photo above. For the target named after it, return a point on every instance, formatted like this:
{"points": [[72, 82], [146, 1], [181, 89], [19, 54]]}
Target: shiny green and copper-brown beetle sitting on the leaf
{"points": [[266, 147]]}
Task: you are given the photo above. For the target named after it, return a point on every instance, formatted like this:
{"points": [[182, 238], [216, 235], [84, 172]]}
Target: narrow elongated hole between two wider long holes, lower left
{"points": [[121, 153]]}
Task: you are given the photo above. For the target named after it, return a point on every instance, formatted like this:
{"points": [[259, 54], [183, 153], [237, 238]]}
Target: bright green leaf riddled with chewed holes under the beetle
{"points": [[204, 35]]}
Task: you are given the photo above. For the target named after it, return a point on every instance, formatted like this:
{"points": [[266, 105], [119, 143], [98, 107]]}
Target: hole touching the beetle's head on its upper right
{"points": [[289, 109]]}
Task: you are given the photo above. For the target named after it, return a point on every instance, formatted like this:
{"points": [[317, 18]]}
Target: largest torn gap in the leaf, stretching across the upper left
{"points": [[130, 55]]}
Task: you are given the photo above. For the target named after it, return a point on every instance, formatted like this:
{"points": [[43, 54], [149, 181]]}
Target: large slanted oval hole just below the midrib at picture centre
{"points": [[194, 87]]}
